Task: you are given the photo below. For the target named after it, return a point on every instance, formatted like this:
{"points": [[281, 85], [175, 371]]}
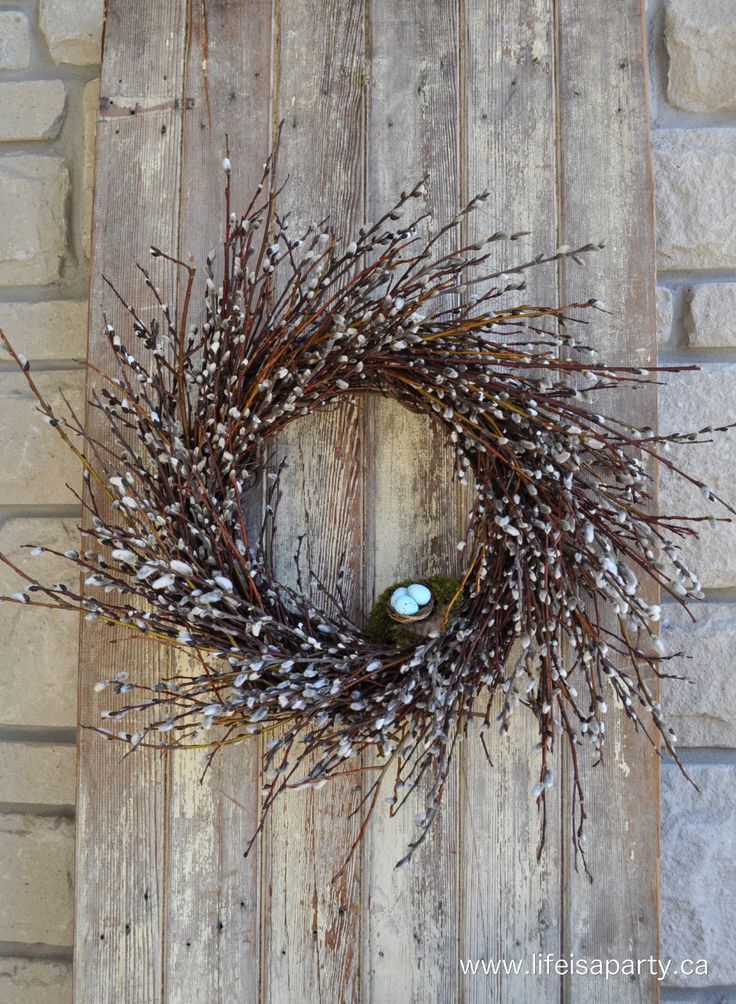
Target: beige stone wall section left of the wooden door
{"points": [[50, 56]]}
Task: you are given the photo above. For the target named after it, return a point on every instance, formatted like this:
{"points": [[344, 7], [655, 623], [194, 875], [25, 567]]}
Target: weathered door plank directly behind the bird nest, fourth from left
{"points": [[412, 527]]}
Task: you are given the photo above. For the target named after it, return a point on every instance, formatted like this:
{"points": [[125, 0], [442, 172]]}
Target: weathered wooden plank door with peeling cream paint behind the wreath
{"points": [[543, 102]]}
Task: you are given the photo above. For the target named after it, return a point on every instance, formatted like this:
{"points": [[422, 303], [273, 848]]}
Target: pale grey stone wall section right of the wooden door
{"points": [[693, 76]]}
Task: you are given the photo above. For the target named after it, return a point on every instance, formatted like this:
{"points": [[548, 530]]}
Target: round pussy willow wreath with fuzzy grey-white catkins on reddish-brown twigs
{"points": [[562, 541]]}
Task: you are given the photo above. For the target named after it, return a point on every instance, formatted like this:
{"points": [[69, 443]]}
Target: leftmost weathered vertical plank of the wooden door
{"points": [[121, 854]]}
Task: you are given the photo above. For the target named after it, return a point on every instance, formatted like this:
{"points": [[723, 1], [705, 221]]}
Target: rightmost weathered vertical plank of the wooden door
{"points": [[606, 185]]}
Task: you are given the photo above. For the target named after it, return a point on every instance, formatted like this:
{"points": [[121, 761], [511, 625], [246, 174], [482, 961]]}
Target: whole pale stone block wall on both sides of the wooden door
{"points": [[49, 95]]}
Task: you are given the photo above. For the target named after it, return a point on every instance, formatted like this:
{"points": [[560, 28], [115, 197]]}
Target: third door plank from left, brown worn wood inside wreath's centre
{"points": [[311, 947]]}
